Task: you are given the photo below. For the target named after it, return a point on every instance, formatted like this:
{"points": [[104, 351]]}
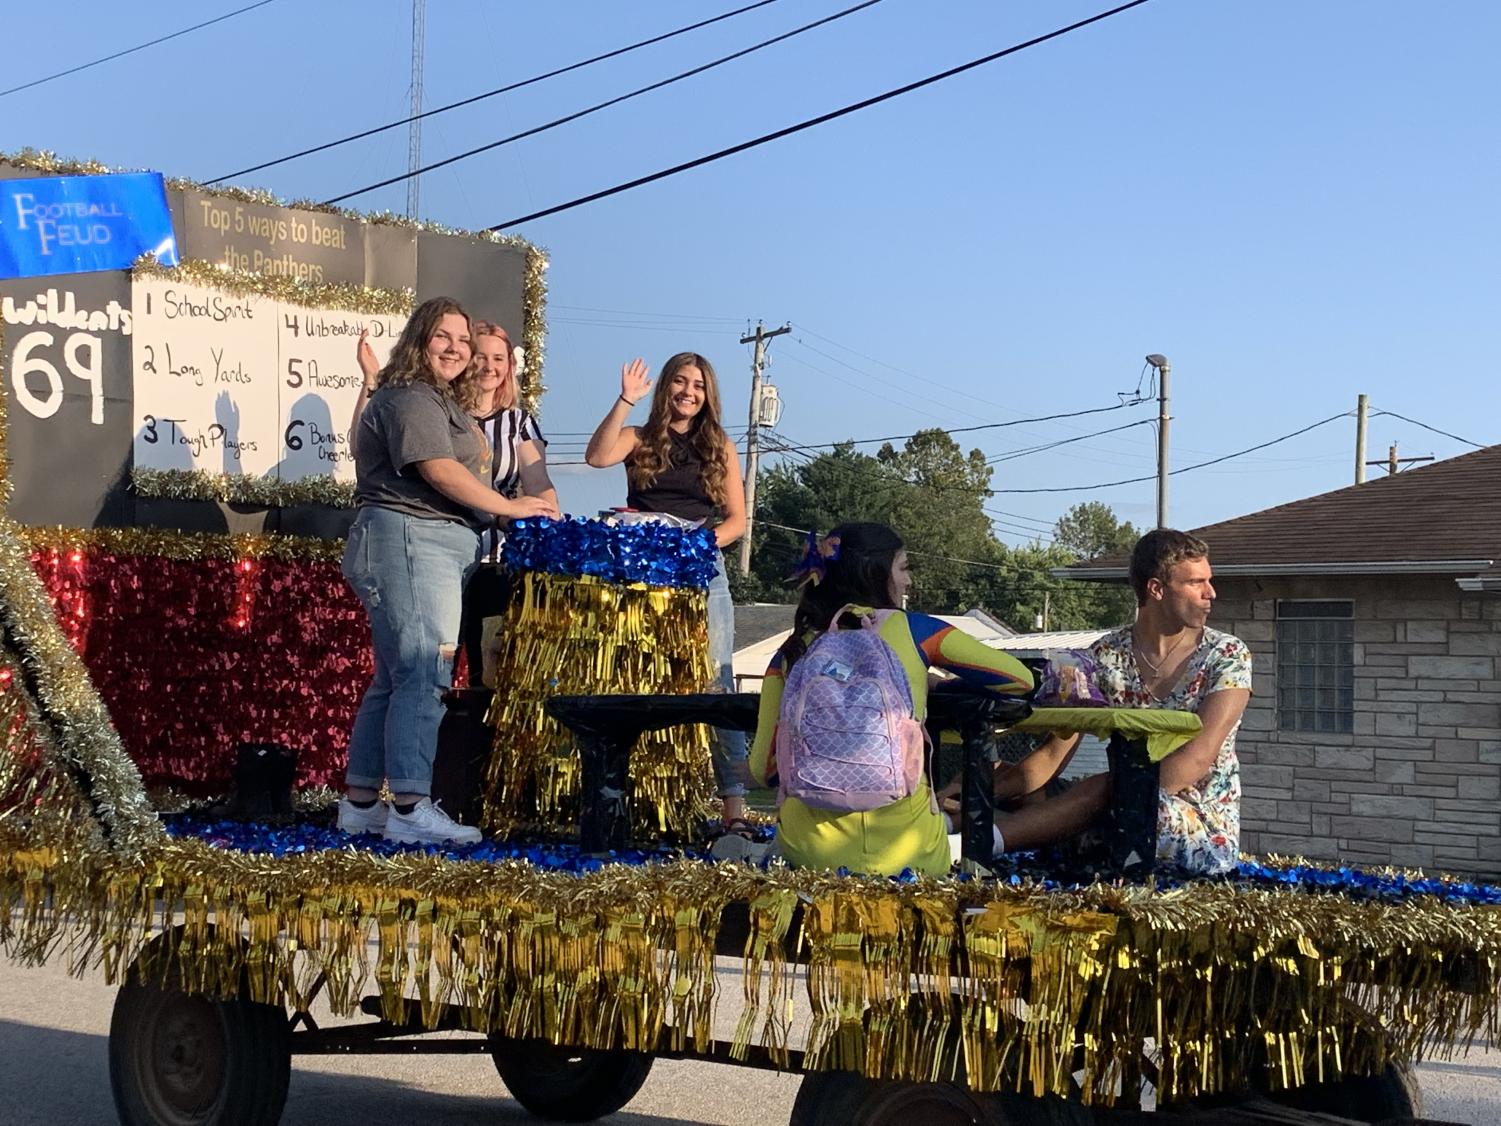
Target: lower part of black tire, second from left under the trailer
{"points": [[568, 1085]]}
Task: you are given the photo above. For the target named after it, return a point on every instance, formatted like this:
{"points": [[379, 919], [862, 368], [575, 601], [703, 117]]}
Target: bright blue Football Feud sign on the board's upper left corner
{"points": [[77, 224]]}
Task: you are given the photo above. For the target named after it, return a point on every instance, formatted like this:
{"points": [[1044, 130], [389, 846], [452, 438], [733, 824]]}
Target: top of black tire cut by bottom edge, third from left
{"points": [[850, 1100]]}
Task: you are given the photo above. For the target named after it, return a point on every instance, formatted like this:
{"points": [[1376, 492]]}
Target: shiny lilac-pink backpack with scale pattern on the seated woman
{"points": [[847, 739]]}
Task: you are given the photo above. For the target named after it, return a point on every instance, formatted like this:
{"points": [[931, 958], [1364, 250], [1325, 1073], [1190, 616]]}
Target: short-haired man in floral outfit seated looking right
{"points": [[1170, 658]]}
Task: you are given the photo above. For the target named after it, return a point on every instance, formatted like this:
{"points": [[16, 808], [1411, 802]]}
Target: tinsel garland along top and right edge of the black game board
{"points": [[535, 289]]}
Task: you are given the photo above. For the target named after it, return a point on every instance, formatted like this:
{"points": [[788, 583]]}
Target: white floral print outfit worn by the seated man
{"points": [[1199, 829]]}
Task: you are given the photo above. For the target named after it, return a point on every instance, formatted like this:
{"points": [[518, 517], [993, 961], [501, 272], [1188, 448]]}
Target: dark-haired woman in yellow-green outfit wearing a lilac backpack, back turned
{"points": [[843, 705]]}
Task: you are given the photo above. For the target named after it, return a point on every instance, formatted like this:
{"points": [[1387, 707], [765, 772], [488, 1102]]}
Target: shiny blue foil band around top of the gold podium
{"points": [[657, 555]]}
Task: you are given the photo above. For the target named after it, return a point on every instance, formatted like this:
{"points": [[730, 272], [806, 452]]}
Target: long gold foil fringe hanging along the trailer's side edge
{"points": [[1017, 989]]}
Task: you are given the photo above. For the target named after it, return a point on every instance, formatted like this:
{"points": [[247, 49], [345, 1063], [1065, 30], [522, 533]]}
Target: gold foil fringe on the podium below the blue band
{"points": [[579, 636]]}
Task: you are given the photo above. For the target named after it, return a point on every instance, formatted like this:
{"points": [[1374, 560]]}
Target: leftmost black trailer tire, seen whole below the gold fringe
{"points": [[179, 1059]]}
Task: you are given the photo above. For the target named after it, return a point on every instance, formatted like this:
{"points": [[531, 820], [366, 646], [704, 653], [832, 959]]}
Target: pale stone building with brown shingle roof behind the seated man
{"points": [[1374, 616]]}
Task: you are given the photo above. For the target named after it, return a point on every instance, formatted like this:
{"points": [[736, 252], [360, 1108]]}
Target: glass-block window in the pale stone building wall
{"points": [[1316, 666]]}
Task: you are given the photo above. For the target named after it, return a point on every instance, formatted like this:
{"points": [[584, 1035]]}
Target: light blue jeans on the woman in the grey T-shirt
{"points": [[411, 576]]}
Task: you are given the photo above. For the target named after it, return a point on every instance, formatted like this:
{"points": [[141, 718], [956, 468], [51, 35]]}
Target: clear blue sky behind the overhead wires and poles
{"points": [[1295, 202]]}
